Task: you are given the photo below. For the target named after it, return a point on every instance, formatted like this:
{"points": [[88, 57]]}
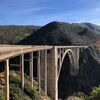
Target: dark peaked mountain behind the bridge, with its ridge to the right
{"points": [[60, 33]]}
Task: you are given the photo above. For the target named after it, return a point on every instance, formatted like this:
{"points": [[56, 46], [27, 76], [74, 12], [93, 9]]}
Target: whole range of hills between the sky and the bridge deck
{"points": [[54, 33]]}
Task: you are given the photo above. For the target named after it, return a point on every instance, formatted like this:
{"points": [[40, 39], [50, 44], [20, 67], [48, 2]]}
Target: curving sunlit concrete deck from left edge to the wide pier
{"points": [[8, 51]]}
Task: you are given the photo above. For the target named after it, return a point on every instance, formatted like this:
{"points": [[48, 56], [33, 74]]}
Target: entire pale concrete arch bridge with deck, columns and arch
{"points": [[49, 63]]}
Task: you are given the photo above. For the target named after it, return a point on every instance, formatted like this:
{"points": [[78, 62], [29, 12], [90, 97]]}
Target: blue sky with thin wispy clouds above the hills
{"points": [[41, 12]]}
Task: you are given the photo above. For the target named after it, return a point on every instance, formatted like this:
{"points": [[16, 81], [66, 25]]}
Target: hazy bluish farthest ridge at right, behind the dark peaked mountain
{"points": [[90, 26]]}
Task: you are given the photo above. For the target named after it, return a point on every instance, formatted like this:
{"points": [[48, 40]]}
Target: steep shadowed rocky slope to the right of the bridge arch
{"points": [[89, 72]]}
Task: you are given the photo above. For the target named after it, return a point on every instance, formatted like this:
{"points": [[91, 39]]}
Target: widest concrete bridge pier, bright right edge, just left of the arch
{"points": [[52, 84]]}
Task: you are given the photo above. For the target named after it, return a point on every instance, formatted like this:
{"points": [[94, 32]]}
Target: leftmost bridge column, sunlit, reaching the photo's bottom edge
{"points": [[7, 79]]}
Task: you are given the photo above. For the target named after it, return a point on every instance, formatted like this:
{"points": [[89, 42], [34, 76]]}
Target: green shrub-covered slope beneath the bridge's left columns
{"points": [[28, 93]]}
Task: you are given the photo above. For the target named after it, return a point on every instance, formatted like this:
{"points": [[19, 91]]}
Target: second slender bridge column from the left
{"points": [[22, 69]]}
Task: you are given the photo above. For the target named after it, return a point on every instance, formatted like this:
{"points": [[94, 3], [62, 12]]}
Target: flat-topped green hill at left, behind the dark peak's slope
{"points": [[12, 34]]}
